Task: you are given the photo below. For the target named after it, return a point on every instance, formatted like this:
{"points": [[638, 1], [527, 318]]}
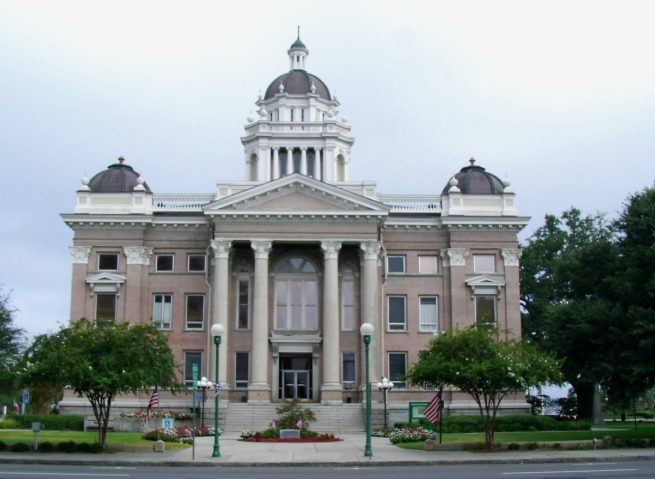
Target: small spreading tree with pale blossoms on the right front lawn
{"points": [[476, 362]]}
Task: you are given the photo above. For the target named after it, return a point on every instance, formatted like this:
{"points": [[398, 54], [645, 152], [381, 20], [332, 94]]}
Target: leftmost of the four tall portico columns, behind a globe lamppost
{"points": [[221, 248]]}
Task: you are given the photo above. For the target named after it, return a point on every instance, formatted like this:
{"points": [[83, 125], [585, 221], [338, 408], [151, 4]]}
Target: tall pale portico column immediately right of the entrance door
{"points": [[331, 387]]}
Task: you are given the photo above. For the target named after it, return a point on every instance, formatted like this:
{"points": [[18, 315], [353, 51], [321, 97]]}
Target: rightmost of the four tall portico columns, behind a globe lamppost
{"points": [[369, 301]]}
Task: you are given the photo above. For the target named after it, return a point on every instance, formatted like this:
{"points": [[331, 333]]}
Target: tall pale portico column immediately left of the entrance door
{"points": [[259, 389]]}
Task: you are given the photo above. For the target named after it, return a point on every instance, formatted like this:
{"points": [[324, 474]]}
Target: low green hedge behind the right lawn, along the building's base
{"points": [[464, 424]]}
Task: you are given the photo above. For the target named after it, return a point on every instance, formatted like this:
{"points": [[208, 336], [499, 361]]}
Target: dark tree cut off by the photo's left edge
{"points": [[11, 343]]}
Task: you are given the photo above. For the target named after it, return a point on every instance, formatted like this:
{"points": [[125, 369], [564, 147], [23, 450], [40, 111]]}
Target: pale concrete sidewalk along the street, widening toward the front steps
{"points": [[349, 452]]}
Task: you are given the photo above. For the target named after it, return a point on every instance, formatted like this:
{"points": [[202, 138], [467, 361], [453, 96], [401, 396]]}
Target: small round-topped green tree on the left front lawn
{"points": [[101, 362]]}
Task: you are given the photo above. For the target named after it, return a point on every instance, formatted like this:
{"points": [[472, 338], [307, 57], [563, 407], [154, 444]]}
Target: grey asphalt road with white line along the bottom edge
{"points": [[596, 470]]}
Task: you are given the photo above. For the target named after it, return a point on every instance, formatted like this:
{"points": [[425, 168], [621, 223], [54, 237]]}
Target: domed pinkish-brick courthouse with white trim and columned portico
{"points": [[292, 260]]}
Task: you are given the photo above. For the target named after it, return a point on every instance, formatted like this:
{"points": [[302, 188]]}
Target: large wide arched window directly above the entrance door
{"points": [[296, 295]]}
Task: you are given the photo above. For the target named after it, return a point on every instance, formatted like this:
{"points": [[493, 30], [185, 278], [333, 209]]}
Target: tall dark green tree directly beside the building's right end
{"points": [[568, 299]]}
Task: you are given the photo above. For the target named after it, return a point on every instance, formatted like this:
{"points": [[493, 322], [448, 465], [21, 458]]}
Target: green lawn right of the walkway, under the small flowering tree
{"points": [[622, 432]]}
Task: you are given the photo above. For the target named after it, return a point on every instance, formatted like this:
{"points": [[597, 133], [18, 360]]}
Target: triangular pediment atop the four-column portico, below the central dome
{"points": [[297, 195]]}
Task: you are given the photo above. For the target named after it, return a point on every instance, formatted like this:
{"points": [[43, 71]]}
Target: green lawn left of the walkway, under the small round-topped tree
{"points": [[113, 438]]}
